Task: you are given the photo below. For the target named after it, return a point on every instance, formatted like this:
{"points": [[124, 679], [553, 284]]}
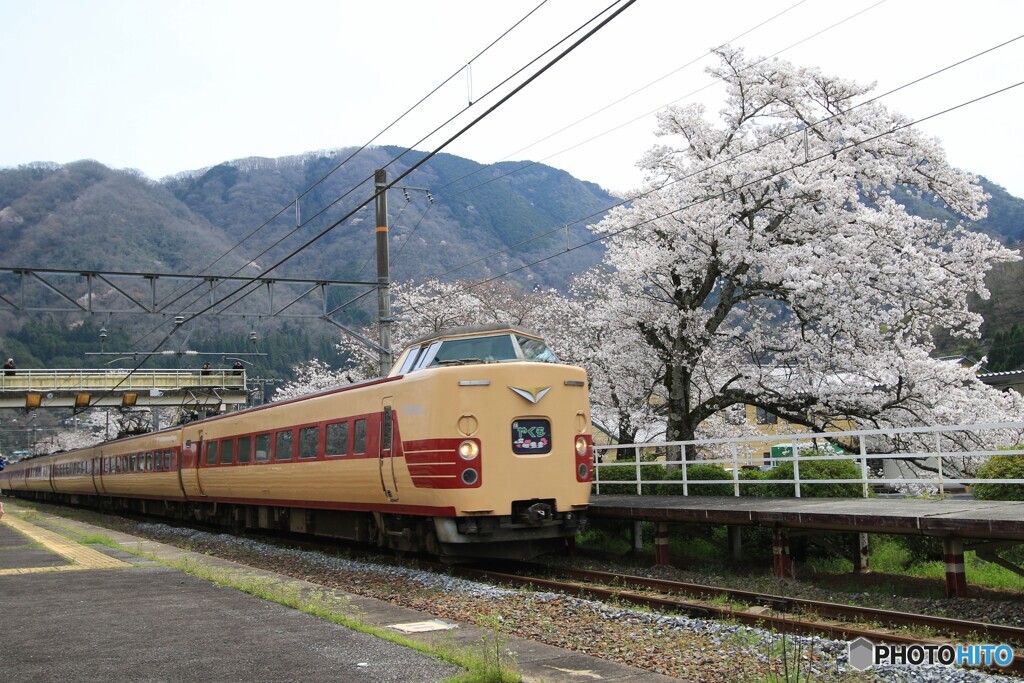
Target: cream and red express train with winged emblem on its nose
{"points": [[477, 445]]}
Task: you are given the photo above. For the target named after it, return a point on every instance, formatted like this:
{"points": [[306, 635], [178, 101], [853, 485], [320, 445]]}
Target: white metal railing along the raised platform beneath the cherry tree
{"points": [[954, 452]]}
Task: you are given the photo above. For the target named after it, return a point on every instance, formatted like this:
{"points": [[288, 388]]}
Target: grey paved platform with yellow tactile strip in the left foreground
{"points": [[88, 613]]}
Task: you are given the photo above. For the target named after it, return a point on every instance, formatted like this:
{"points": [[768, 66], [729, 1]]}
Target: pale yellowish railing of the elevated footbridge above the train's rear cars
{"points": [[93, 379]]}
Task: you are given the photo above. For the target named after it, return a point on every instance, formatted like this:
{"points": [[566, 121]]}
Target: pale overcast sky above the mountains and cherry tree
{"points": [[180, 86]]}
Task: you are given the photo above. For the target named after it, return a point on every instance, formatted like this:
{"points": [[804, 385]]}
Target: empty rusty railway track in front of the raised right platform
{"points": [[794, 616]]}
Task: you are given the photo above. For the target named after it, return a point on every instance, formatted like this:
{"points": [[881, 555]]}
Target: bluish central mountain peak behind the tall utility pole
{"points": [[473, 211]]}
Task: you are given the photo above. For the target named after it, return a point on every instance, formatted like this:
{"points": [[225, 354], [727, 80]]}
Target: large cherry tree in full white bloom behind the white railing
{"points": [[770, 261]]}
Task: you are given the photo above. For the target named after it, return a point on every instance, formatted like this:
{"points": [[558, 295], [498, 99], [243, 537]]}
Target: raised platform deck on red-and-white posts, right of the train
{"points": [[989, 525]]}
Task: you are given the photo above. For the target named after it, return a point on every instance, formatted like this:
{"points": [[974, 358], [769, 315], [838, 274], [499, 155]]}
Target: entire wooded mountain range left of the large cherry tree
{"points": [[448, 214]]}
